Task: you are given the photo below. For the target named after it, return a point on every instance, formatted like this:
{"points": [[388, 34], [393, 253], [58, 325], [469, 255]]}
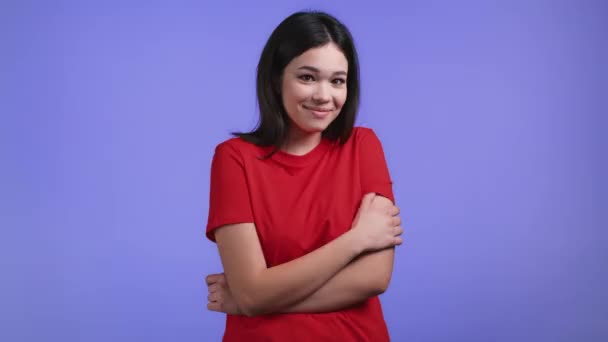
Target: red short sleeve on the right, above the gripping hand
{"points": [[374, 170]]}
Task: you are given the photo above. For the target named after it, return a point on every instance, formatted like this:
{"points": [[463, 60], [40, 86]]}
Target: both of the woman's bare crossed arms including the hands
{"points": [[345, 272]]}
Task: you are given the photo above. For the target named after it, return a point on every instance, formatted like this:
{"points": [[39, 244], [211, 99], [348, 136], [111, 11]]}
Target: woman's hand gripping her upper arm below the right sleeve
{"points": [[377, 225]]}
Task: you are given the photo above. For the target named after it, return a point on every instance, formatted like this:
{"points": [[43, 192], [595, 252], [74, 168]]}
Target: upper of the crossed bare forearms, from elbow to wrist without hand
{"points": [[283, 285]]}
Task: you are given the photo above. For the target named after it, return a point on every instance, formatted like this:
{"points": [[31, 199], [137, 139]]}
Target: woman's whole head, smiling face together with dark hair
{"points": [[307, 78]]}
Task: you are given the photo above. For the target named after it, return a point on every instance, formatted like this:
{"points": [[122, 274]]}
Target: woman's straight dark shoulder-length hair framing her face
{"points": [[295, 35]]}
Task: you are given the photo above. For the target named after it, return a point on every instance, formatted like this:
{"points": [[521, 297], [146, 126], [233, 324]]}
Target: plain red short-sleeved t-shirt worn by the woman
{"points": [[298, 204]]}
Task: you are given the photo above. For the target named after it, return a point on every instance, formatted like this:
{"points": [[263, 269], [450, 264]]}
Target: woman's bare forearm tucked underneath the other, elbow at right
{"points": [[363, 278]]}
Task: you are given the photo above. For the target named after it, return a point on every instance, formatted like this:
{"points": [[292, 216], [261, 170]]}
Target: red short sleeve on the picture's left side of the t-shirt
{"points": [[229, 200]]}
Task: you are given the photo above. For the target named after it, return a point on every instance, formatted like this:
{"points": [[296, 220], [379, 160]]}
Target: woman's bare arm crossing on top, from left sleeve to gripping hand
{"points": [[258, 289]]}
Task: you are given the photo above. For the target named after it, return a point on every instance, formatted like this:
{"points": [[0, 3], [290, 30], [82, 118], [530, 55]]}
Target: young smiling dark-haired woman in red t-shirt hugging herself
{"points": [[302, 208]]}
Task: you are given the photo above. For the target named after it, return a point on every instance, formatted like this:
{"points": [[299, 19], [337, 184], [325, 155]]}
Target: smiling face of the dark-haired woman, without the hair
{"points": [[313, 88]]}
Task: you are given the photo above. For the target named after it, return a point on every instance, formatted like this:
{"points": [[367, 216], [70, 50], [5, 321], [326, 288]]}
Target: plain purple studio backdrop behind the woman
{"points": [[492, 115]]}
